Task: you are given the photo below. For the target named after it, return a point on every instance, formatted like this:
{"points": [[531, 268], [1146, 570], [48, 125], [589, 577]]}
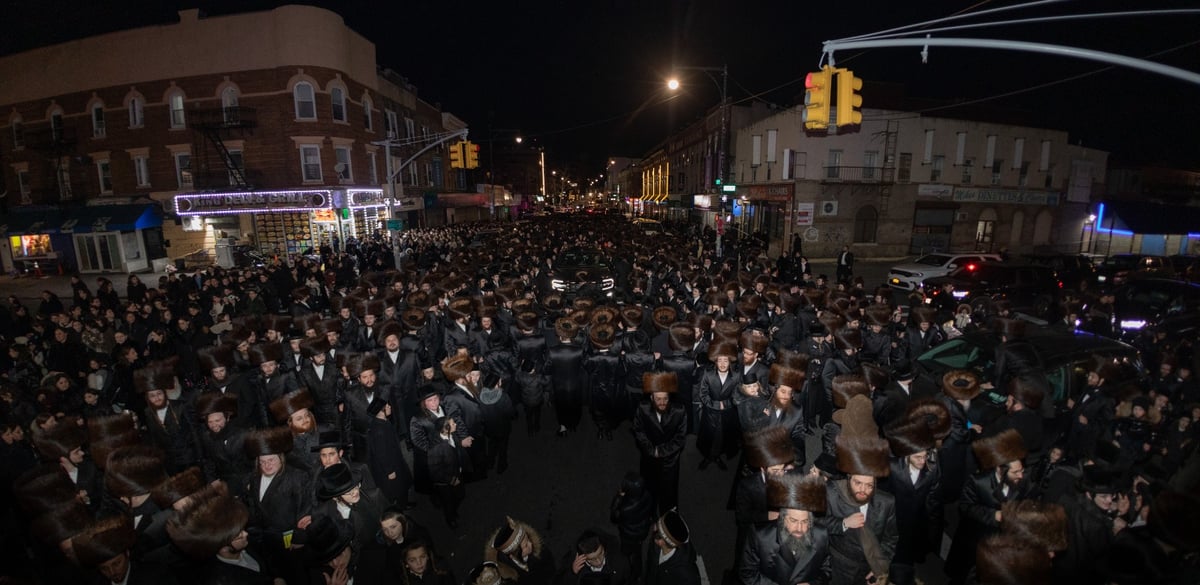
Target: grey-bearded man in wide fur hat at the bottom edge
{"points": [[794, 548]]}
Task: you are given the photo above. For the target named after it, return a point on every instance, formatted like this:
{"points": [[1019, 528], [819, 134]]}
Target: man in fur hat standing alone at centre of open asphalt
{"points": [[661, 429]]}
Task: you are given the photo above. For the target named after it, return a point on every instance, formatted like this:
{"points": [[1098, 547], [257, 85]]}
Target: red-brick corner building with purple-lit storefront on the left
{"points": [[263, 129]]}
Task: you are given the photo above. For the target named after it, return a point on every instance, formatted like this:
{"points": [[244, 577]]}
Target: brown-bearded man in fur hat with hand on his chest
{"points": [[862, 520]]}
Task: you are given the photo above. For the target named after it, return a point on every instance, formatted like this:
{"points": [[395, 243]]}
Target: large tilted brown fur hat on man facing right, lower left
{"points": [[209, 522]]}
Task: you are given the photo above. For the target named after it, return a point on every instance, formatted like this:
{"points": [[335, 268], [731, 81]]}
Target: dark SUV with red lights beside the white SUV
{"points": [[1031, 288]]}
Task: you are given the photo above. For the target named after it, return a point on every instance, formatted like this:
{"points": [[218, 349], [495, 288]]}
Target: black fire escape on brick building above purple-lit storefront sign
{"points": [[214, 166]]}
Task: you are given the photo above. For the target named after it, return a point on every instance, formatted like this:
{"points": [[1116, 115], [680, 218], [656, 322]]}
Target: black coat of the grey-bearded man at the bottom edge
{"points": [[766, 562]]}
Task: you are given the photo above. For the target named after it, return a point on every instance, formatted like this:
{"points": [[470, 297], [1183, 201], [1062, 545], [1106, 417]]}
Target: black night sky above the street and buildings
{"points": [[586, 79]]}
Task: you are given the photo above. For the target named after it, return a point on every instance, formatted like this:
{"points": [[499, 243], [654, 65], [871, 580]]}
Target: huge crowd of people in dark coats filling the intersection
{"points": [[280, 424]]}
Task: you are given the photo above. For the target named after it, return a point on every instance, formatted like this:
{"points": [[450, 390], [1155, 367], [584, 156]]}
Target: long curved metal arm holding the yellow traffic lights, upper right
{"points": [[1028, 47]]}
